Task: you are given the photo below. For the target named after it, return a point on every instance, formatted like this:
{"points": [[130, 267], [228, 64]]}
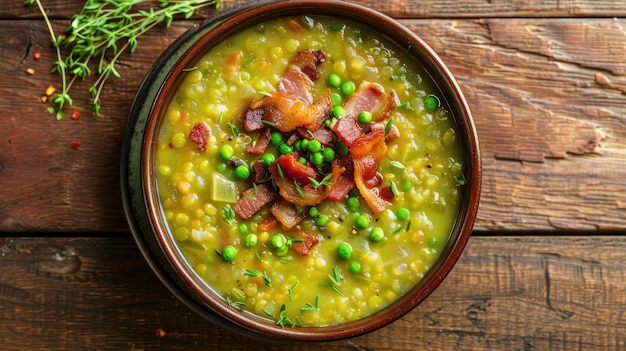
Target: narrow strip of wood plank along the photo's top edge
{"points": [[396, 9]]}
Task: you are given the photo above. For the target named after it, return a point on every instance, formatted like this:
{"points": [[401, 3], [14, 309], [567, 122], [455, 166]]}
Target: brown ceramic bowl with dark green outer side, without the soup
{"points": [[141, 196]]}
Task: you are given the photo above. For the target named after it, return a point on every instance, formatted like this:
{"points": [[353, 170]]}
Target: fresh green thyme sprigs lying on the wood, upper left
{"points": [[102, 31]]}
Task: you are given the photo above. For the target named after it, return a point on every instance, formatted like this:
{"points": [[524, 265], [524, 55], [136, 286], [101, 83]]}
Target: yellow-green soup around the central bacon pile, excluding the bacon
{"points": [[387, 252]]}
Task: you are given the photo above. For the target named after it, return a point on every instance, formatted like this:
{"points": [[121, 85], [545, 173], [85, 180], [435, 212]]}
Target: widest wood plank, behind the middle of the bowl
{"points": [[548, 97]]}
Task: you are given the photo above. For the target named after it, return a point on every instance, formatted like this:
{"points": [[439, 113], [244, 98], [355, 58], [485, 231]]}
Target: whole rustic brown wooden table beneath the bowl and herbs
{"points": [[544, 270]]}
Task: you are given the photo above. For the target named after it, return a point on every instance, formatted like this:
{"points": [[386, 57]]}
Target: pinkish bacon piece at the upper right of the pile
{"points": [[373, 98]]}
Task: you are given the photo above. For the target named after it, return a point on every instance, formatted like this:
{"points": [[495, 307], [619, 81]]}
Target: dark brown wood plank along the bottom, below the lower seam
{"points": [[506, 293]]}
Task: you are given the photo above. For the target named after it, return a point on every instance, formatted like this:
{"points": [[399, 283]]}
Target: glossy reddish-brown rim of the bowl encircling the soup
{"points": [[404, 38]]}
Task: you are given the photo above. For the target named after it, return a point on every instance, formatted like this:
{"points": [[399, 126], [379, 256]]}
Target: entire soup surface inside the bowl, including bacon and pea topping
{"points": [[308, 171]]}
